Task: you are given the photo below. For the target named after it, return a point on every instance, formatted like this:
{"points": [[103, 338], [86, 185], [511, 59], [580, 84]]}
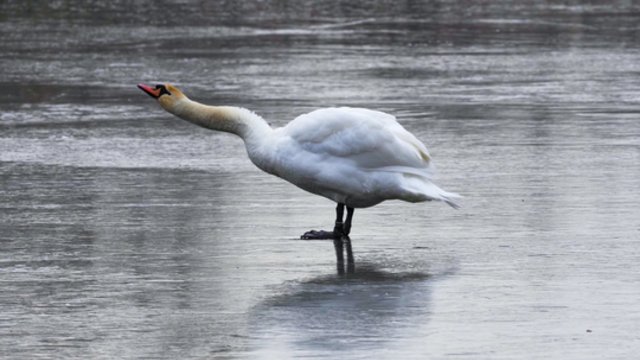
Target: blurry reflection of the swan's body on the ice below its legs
{"points": [[363, 310]]}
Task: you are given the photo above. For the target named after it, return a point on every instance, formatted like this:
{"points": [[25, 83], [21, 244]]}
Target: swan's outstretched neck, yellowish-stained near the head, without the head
{"points": [[242, 122]]}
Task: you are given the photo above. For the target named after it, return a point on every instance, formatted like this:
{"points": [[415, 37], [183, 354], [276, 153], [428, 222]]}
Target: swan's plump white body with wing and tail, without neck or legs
{"points": [[353, 156]]}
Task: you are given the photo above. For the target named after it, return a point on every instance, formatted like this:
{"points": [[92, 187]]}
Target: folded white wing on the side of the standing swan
{"points": [[369, 140]]}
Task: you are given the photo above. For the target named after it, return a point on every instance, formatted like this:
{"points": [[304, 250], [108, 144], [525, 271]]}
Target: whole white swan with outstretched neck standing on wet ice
{"points": [[355, 157]]}
